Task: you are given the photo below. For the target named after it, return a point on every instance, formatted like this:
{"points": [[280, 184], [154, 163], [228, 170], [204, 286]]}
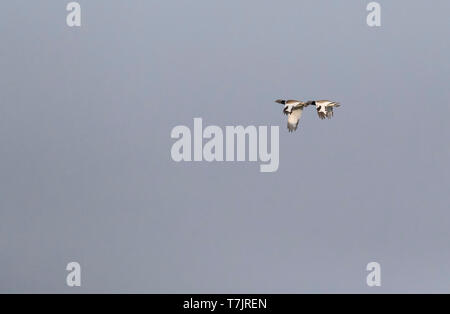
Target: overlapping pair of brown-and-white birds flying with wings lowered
{"points": [[294, 109]]}
